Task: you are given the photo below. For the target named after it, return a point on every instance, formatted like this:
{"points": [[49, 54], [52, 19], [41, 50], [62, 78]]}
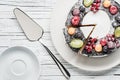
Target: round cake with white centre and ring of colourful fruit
{"points": [[95, 37]]}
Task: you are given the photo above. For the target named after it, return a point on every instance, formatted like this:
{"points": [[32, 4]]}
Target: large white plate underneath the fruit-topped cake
{"points": [[59, 17]]}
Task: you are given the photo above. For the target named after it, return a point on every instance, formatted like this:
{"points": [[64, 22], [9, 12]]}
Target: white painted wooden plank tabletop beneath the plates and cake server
{"points": [[12, 35]]}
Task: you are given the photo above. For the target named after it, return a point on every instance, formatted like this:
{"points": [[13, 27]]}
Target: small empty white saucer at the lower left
{"points": [[19, 63]]}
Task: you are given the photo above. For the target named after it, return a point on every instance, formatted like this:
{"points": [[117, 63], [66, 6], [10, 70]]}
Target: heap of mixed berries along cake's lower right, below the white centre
{"points": [[104, 45]]}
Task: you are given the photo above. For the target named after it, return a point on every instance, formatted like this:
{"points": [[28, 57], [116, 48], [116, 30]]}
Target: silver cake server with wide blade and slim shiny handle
{"points": [[34, 32]]}
